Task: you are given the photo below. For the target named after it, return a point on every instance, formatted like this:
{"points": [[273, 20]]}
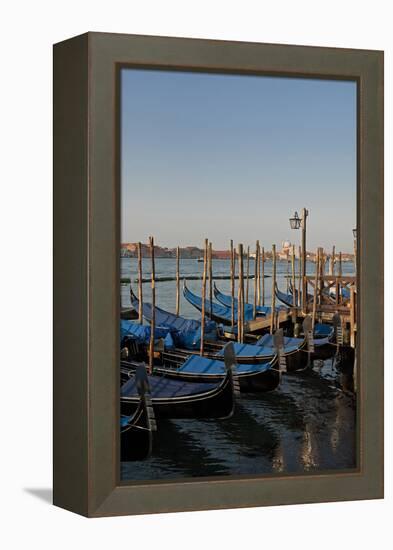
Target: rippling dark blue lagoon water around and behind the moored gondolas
{"points": [[307, 424]]}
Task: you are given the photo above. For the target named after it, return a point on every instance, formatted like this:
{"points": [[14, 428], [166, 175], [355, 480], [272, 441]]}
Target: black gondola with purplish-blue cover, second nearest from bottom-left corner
{"points": [[173, 398]]}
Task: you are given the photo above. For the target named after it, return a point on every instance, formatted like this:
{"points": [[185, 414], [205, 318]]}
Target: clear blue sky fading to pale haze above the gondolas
{"points": [[227, 156]]}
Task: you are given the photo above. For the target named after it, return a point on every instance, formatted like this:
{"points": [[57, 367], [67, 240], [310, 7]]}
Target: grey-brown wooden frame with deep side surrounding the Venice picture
{"points": [[86, 273]]}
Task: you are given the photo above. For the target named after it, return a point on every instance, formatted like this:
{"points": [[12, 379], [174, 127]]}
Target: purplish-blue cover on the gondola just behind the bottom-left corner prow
{"points": [[161, 387]]}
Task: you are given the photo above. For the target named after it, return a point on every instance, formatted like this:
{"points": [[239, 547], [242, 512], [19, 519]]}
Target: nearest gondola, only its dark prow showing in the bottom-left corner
{"points": [[136, 430]]}
